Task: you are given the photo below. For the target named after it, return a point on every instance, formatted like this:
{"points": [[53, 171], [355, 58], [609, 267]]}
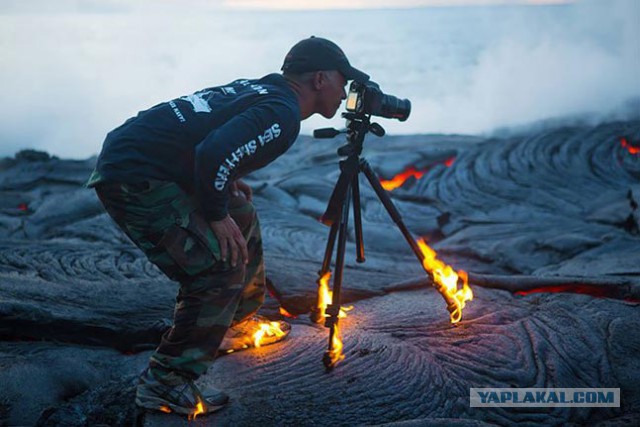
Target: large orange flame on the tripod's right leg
{"points": [[446, 281]]}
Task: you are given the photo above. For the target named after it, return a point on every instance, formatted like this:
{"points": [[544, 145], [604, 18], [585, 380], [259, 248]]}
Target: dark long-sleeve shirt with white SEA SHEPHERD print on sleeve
{"points": [[205, 140]]}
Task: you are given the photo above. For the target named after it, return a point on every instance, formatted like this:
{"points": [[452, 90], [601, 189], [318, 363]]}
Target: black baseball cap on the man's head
{"points": [[318, 54]]}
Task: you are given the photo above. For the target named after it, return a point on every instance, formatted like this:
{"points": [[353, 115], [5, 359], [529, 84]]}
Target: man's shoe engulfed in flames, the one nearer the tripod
{"points": [[257, 331]]}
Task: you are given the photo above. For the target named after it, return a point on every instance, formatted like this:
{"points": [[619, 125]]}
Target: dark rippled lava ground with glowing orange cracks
{"points": [[546, 224]]}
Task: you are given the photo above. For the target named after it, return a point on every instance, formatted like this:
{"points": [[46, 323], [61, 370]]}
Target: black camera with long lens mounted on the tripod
{"points": [[367, 98]]}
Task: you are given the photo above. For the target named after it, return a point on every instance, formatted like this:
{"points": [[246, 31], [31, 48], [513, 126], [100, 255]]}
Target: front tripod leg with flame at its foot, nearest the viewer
{"points": [[333, 355]]}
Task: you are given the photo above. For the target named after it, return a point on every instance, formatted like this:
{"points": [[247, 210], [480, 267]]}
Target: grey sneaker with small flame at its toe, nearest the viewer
{"points": [[182, 399]]}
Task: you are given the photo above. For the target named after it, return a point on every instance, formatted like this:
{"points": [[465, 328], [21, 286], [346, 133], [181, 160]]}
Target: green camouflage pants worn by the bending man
{"points": [[167, 225]]}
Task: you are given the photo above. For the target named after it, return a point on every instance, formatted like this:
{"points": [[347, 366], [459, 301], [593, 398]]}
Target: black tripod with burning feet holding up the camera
{"points": [[337, 213]]}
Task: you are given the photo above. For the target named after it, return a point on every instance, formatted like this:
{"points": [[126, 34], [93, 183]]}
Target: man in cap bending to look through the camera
{"points": [[169, 177]]}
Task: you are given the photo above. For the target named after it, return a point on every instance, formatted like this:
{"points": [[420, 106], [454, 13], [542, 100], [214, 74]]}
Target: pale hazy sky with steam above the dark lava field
{"points": [[72, 70]]}
